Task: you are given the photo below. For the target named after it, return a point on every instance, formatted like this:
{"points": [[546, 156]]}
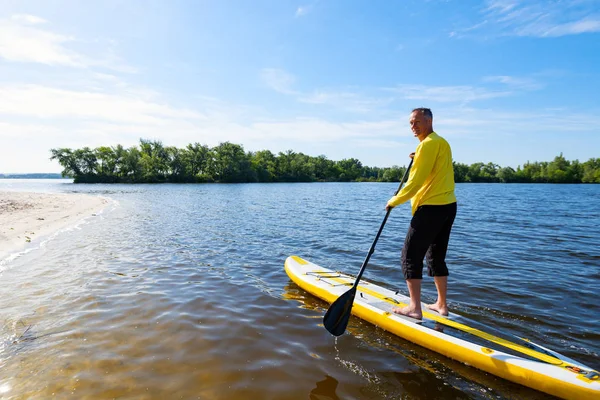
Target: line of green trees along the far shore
{"points": [[152, 162]]}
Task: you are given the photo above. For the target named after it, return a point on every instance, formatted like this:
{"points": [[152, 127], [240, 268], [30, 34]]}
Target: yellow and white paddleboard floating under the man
{"points": [[515, 359]]}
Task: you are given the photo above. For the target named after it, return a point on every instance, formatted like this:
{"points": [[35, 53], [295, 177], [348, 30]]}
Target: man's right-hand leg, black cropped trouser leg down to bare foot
{"points": [[436, 262]]}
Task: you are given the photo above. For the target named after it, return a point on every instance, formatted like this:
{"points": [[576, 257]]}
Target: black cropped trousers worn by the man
{"points": [[428, 236]]}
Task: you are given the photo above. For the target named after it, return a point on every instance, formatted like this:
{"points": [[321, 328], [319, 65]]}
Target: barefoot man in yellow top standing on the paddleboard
{"points": [[430, 187]]}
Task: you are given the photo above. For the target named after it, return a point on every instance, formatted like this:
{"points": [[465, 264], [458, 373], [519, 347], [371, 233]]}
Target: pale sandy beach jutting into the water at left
{"points": [[27, 217]]}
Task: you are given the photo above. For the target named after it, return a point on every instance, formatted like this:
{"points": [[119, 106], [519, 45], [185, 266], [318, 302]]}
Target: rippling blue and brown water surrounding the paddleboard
{"points": [[179, 291]]}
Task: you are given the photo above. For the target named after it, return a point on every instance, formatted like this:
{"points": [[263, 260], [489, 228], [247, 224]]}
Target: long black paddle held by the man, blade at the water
{"points": [[336, 318]]}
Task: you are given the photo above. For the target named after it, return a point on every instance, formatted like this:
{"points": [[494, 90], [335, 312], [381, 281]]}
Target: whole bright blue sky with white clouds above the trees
{"points": [[508, 81]]}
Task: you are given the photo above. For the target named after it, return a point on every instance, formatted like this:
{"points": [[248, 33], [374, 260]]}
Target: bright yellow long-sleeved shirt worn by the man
{"points": [[431, 178]]}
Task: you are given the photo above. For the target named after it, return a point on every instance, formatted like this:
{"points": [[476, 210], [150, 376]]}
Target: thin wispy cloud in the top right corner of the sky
{"points": [[535, 18]]}
